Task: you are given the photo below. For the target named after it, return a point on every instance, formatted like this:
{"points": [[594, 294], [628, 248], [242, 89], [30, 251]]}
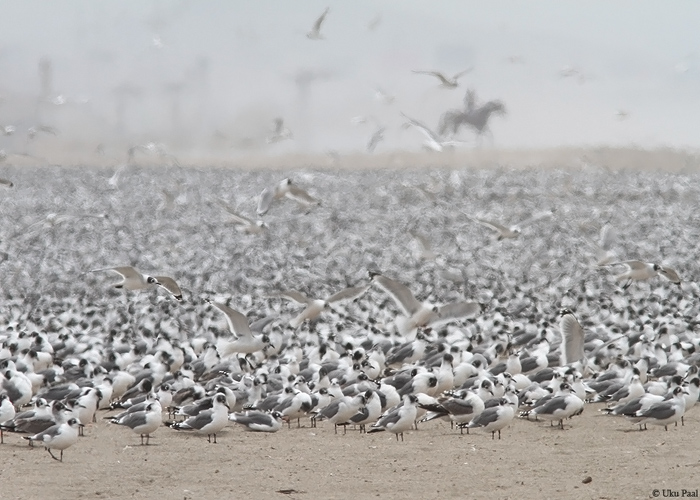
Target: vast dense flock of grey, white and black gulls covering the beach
{"points": [[362, 301]]}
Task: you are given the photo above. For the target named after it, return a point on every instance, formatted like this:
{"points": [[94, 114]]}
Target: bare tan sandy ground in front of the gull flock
{"points": [[532, 460]]}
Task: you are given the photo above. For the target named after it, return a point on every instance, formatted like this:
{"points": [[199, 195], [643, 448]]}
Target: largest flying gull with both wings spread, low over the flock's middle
{"points": [[416, 313]]}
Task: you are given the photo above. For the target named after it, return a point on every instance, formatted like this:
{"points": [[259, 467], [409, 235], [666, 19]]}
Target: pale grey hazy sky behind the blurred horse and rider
{"points": [[198, 75]]}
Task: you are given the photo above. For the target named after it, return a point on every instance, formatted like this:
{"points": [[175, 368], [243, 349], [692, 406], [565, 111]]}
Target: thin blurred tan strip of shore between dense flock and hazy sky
{"points": [[614, 158]]}
